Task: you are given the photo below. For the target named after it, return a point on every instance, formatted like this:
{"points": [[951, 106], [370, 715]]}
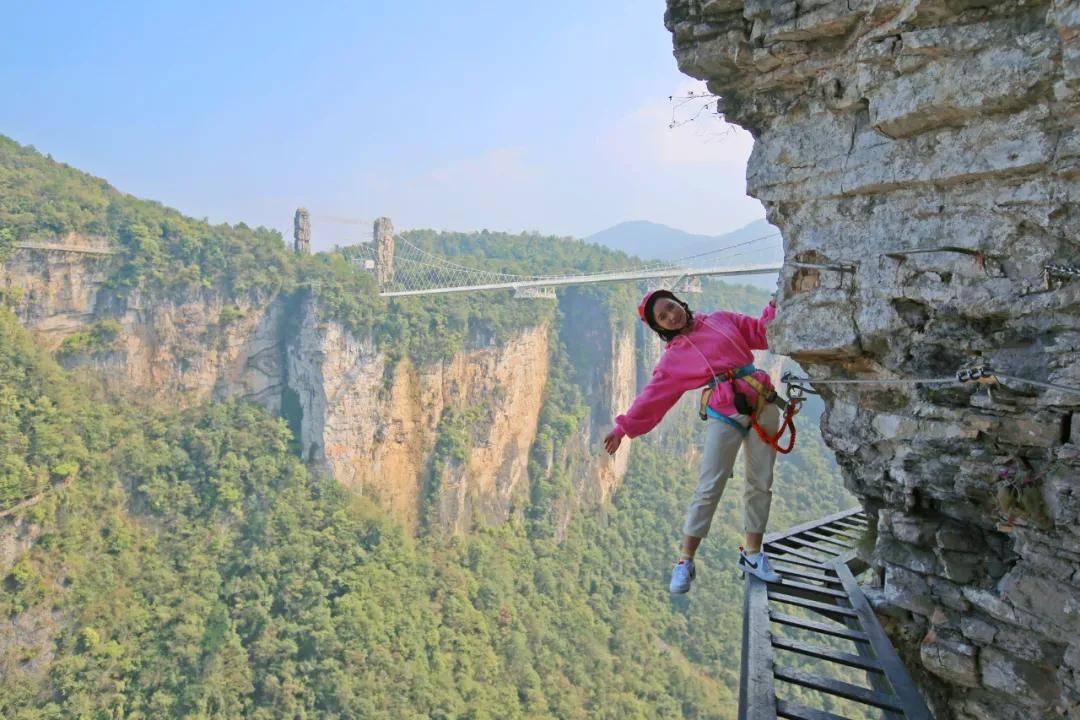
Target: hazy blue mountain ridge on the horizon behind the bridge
{"points": [[655, 241]]}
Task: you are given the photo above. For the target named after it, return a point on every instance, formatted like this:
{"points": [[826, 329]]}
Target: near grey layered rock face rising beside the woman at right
{"points": [[922, 158]]}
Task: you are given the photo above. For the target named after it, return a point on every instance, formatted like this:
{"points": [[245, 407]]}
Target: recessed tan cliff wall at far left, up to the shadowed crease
{"points": [[185, 349]]}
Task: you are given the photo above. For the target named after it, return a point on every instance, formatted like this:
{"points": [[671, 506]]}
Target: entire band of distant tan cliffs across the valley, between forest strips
{"points": [[448, 443]]}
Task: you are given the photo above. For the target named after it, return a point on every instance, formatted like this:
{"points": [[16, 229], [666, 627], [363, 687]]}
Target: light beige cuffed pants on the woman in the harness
{"points": [[722, 446]]}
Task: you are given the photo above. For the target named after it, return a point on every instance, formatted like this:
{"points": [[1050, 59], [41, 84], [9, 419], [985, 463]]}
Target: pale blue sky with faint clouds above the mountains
{"points": [[531, 116]]}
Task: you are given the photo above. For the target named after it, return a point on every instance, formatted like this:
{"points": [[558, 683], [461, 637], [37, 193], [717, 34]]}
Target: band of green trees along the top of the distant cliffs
{"points": [[171, 255]]}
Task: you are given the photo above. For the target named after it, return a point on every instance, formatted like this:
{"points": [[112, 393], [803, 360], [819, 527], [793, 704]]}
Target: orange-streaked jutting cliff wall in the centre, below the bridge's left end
{"points": [[375, 428]]}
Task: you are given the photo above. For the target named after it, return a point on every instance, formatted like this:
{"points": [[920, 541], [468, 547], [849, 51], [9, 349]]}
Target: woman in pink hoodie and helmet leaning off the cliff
{"points": [[703, 350]]}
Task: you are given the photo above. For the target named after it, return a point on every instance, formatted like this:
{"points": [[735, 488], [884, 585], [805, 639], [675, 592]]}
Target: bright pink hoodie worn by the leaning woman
{"points": [[723, 341]]}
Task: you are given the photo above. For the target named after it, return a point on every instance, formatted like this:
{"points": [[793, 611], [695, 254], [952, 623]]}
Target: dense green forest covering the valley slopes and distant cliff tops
{"points": [[185, 564]]}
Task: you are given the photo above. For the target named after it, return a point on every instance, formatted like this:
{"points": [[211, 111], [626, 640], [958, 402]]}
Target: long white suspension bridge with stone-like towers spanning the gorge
{"points": [[404, 269]]}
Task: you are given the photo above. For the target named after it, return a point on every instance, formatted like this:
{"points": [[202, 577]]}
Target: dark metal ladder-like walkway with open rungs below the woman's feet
{"points": [[818, 563]]}
